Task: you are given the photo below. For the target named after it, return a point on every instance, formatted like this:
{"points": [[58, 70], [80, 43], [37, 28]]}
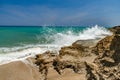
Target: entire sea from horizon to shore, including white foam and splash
{"points": [[19, 42]]}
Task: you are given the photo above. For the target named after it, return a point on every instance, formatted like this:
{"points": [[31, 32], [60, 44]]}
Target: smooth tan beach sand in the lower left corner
{"points": [[19, 70]]}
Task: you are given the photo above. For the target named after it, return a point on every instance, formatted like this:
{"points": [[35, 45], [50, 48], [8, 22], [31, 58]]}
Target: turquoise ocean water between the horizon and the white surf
{"points": [[23, 35]]}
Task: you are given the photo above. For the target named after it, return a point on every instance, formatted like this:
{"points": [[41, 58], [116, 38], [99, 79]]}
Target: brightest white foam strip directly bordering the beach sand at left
{"points": [[23, 54]]}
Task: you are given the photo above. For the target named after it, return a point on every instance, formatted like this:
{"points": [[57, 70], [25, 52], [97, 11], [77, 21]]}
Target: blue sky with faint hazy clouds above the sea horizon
{"points": [[60, 12]]}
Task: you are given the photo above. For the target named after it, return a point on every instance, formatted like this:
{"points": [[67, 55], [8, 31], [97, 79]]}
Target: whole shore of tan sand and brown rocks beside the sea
{"points": [[82, 60]]}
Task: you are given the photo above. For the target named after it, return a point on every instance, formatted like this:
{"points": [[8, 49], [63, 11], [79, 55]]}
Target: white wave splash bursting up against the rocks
{"points": [[69, 37]]}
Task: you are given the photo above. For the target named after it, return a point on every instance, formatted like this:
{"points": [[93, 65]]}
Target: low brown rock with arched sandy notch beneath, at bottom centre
{"points": [[60, 65]]}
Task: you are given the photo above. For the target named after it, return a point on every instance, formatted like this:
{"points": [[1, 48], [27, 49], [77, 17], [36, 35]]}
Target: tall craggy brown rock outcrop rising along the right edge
{"points": [[108, 60]]}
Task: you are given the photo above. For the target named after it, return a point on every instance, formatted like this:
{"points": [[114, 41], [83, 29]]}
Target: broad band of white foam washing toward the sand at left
{"points": [[19, 53]]}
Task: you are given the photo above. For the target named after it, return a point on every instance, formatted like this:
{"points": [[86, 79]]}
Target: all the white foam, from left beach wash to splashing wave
{"points": [[60, 39]]}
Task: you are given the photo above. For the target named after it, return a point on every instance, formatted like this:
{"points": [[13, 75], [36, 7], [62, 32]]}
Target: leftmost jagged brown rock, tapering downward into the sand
{"points": [[45, 61]]}
